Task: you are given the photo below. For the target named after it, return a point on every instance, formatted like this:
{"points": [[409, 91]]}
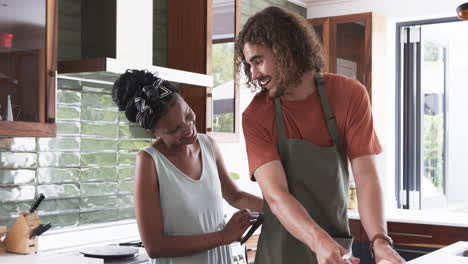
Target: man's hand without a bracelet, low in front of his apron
{"points": [[329, 251]]}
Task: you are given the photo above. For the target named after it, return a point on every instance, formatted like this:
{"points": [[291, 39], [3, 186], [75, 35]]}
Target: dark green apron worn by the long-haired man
{"points": [[318, 178]]}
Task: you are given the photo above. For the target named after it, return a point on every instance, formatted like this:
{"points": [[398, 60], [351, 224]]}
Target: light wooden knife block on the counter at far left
{"points": [[17, 239]]}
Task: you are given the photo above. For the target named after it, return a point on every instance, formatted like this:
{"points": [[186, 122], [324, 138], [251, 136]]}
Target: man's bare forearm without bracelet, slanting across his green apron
{"points": [[294, 217]]}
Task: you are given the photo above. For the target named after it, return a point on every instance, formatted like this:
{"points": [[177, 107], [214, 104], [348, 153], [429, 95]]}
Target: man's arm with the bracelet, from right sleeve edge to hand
{"points": [[370, 202]]}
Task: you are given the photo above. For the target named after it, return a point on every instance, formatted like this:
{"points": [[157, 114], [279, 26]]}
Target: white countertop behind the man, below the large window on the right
{"points": [[426, 217]]}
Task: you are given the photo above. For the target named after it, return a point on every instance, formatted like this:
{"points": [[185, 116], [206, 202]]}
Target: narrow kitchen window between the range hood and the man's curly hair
{"points": [[223, 99]]}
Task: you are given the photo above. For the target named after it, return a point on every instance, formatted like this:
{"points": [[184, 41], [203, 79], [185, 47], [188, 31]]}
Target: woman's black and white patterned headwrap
{"points": [[144, 102]]}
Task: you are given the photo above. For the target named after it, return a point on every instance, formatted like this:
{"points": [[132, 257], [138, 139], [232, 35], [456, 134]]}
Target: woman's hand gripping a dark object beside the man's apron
{"points": [[238, 224]]}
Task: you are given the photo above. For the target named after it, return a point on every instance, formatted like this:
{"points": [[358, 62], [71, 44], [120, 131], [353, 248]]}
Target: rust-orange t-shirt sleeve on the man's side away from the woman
{"points": [[361, 138]]}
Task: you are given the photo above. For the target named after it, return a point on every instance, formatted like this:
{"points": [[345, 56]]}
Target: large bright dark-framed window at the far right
{"points": [[432, 97]]}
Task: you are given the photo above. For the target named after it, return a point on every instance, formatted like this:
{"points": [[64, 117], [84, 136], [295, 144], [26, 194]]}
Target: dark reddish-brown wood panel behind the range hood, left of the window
{"points": [[189, 48]]}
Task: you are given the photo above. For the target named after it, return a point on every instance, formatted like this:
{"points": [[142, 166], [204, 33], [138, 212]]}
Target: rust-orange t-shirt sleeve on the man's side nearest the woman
{"points": [[259, 144]]}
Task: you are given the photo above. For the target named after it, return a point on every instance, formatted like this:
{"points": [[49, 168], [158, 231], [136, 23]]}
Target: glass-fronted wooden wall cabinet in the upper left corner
{"points": [[28, 49]]}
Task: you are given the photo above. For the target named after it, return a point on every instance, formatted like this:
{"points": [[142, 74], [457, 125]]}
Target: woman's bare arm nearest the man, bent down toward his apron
{"points": [[231, 193]]}
